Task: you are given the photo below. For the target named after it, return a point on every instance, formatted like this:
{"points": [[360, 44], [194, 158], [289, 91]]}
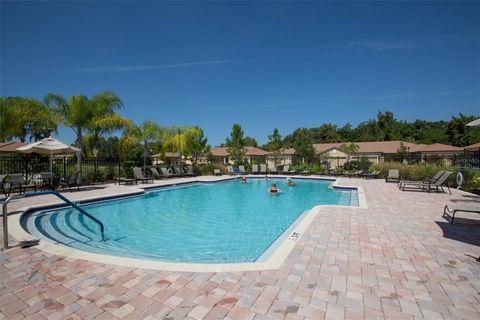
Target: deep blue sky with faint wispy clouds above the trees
{"points": [[263, 65]]}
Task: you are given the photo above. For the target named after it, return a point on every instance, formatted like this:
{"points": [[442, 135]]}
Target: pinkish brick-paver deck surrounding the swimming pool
{"points": [[396, 259]]}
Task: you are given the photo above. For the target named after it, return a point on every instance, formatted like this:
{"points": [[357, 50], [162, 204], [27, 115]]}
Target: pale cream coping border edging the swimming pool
{"points": [[271, 259]]}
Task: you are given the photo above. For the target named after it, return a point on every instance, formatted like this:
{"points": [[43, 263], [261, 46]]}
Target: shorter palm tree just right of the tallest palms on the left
{"points": [[144, 133]]}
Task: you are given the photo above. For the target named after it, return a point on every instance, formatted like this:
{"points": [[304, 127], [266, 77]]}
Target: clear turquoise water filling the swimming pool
{"points": [[211, 223]]}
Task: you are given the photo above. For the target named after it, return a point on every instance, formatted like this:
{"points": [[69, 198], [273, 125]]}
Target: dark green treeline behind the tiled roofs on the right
{"points": [[386, 128]]}
